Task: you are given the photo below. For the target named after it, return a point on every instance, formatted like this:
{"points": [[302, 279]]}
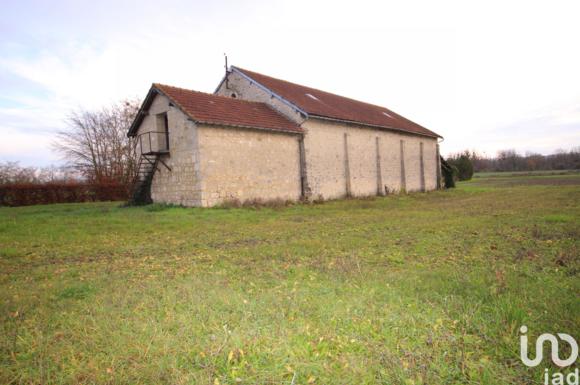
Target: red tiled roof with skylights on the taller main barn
{"points": [[324, 104]]}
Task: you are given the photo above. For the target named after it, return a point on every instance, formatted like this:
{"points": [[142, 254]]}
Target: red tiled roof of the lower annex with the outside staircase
{"points": [[221, 110]]}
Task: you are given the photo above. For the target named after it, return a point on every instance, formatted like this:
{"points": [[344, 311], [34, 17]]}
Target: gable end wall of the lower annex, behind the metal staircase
{"points": [[182, 184]]}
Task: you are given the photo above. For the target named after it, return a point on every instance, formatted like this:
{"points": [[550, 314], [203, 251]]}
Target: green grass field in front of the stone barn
{"points": [[414, 289]]}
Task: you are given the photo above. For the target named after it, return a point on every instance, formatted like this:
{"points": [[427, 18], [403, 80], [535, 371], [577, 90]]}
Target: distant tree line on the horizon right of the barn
{"points": [[467, 162]]}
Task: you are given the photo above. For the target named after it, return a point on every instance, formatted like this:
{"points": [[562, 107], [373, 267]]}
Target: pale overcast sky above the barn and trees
{"points": [[485, 75]]}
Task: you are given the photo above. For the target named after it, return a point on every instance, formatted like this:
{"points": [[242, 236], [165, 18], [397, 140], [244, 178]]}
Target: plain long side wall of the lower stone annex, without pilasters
{"points": [[245, 164]]}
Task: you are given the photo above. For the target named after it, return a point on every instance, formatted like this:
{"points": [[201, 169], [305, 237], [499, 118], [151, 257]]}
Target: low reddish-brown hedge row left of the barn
{"points": [[39, 194]]}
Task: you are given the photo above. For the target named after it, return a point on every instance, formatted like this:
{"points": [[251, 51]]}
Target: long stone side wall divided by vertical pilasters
{"points": [[325, 160]]}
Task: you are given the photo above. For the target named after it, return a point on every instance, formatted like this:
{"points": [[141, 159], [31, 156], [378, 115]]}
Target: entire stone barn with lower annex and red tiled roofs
{"points": [[261, 138]]}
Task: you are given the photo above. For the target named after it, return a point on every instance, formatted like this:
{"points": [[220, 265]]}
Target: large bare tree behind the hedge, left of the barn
{"points": [[96, 143]]}
